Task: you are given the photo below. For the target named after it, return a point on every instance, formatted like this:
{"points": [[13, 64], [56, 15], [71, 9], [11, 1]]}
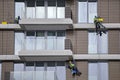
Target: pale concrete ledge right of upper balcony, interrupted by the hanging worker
{"points": [[92, 26]]}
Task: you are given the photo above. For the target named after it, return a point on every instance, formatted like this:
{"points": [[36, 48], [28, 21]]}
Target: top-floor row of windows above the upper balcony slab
{"points": [[40, 8]]}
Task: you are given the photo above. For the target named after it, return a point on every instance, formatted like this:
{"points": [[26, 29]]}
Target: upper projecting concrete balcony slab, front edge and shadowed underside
{"points": [[46, 24]]}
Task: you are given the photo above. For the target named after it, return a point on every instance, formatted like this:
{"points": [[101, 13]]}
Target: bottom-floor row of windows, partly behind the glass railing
{"points": [[49, 70]]}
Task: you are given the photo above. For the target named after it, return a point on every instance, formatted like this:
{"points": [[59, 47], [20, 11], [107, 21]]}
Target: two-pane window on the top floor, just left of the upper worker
{"points": [[87, 10]]}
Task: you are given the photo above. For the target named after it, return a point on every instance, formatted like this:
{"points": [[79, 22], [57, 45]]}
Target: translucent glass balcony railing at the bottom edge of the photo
{"points": [[33, 75]]}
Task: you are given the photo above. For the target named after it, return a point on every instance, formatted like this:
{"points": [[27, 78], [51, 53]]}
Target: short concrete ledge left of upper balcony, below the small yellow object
{"points": [[10, 26]]}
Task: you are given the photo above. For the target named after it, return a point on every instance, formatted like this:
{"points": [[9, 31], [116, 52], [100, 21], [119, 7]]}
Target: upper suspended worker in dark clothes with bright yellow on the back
{"points": [[99, 27]]}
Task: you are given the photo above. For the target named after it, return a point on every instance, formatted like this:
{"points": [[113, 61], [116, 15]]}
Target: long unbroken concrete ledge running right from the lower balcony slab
{"points": [[96, 57]]}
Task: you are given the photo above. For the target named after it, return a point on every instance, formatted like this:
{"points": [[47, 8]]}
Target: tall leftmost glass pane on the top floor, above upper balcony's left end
{"points": [[20, 10]]}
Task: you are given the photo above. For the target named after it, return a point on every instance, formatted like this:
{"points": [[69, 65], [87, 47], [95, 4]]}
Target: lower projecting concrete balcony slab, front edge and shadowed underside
{"points": [[45, 55]]}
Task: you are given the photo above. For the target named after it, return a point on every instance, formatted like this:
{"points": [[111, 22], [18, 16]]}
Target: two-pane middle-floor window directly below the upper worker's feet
{"points": [[97, 44]]}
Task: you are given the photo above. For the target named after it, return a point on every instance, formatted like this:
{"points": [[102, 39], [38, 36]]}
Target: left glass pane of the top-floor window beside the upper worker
{"points": [[82, 12]]}
